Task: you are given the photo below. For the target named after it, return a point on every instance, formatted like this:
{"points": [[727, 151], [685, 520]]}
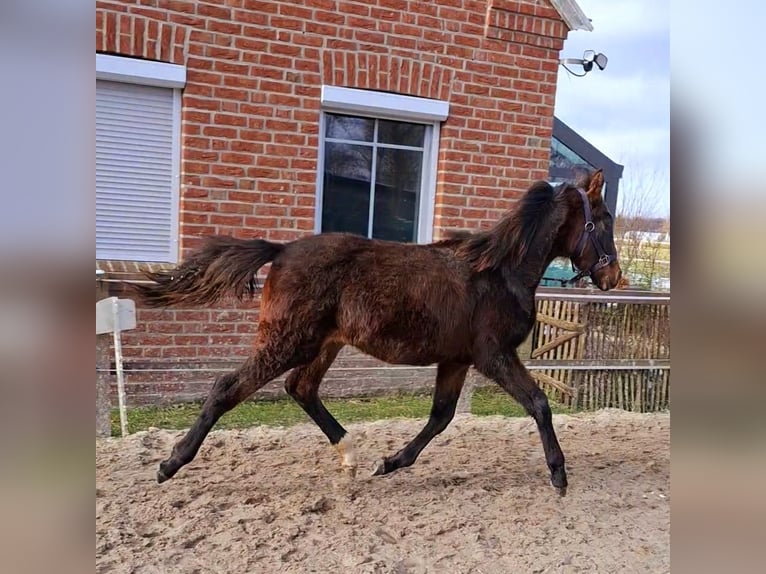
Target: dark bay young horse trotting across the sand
{"points": [[466, 300]]}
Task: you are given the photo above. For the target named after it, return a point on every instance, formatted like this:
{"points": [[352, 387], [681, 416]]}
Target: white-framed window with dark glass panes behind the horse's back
{"points": [[377, 168]]}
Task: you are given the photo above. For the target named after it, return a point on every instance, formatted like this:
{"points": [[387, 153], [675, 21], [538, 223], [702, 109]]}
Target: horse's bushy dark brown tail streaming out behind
{"points": [[222, 266]]}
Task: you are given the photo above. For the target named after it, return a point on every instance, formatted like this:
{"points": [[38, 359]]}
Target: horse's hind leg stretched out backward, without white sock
{"points": [[272, 358]]}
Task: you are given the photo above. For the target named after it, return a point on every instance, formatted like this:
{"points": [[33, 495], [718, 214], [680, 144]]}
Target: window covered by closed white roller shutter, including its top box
{"points": [[138, 114]]}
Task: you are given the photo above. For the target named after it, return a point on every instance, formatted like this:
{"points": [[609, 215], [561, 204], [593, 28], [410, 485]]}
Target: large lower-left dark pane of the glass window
{"points": [[346, 188]]}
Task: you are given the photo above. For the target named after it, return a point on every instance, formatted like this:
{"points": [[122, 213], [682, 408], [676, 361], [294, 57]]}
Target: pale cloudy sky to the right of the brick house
{"points": [[624, 110]]}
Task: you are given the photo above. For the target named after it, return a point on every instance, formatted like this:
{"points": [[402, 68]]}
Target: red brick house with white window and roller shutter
{"points": [[390, 118]]}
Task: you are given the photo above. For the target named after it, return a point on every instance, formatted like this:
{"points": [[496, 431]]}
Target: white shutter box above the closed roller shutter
{"points": [[135, 71]]}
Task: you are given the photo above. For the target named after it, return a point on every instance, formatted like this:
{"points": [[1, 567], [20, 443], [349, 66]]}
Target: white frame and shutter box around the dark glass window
{"points": [[396, 107]]}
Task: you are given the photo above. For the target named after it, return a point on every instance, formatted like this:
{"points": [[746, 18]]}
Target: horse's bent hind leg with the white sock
{"points": [[302, 384]]}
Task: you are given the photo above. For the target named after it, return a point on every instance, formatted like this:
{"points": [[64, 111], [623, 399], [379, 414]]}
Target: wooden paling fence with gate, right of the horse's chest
{"points": [[590, 350]]}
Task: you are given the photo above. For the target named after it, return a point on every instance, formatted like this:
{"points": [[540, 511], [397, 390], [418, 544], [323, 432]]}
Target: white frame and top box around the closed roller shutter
{"points": [[163, 75]]}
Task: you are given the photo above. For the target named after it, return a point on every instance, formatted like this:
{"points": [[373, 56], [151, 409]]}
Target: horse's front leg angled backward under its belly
{"points": [[449, 382]]}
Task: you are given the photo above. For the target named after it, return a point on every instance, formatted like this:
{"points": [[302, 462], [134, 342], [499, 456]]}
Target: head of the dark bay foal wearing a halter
{"points": [[587, 235]]}
